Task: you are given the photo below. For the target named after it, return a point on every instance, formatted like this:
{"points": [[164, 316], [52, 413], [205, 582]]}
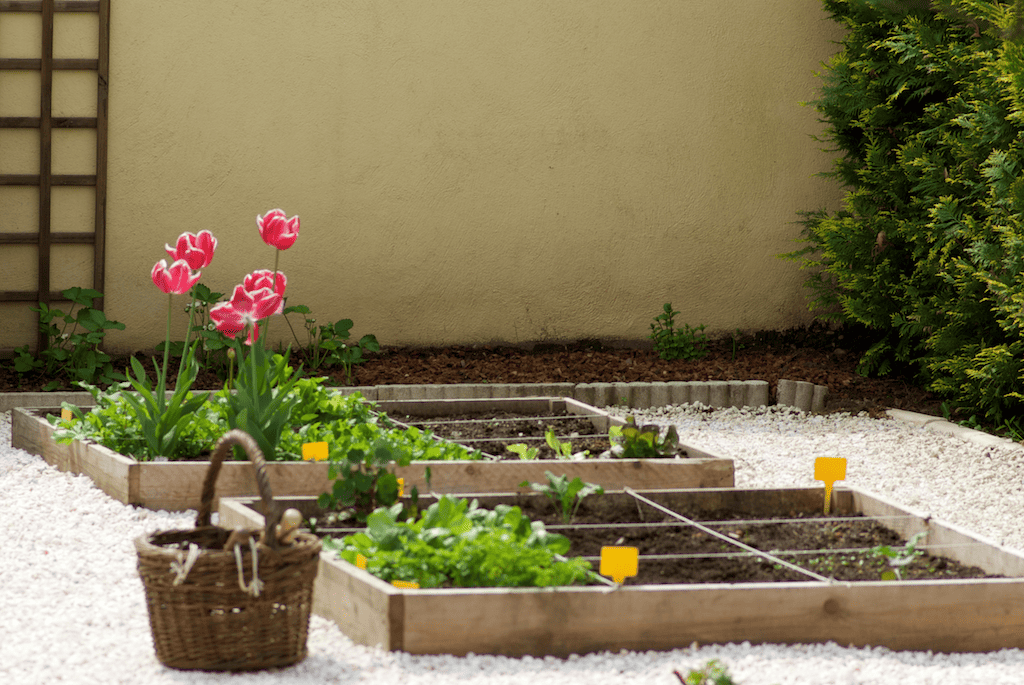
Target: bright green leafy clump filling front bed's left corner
{"points": [[456, 544]]}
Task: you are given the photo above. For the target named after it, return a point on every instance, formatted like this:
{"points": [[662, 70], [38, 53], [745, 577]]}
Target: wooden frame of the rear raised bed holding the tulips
{"points": [[176, 486]]}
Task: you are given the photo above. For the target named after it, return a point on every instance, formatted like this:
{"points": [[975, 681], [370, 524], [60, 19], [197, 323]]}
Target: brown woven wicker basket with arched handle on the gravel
{"points": [[207, 609]]}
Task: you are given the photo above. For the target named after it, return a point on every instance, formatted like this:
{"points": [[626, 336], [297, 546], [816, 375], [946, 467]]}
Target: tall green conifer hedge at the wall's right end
{"points": [[924, 109]]}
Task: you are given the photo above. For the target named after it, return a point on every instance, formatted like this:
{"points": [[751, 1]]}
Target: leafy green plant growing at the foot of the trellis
{"points": [[73, 342]]}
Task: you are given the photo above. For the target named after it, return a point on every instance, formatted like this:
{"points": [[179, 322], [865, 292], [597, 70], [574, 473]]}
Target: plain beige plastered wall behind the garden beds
{"points": [[472, 172]]}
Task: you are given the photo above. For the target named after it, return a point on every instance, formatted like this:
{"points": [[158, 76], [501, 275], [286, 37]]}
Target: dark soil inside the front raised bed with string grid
{"points": [[715, 561]]}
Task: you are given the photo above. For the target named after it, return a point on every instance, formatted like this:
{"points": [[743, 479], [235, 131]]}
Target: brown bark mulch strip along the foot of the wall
{"points": [[817, 354]]}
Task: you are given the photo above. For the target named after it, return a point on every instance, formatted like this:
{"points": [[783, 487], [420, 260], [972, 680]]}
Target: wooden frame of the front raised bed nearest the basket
{"points": [[943, 616]]}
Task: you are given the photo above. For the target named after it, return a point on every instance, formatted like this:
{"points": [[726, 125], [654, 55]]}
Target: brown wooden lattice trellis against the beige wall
{"points": [[45, 239]]}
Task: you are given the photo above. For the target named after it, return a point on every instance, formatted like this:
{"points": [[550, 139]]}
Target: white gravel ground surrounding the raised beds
{"points": [[72, 608]]}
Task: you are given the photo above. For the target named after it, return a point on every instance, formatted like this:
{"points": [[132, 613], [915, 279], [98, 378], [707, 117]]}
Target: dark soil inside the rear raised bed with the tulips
{"points": [[493, 433]]}
